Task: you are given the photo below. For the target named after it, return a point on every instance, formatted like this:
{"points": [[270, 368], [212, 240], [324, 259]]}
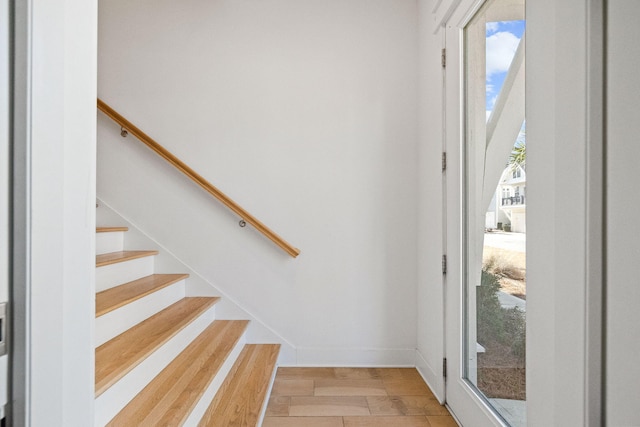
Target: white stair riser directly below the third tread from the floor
{"points": [[118, 395]]}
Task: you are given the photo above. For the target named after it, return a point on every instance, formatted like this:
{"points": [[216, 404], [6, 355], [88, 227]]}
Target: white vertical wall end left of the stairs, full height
{"points": [[55, 212]]}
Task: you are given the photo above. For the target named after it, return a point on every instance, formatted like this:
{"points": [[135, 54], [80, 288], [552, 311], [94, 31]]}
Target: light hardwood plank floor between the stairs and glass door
{"points": [[353, 397]]}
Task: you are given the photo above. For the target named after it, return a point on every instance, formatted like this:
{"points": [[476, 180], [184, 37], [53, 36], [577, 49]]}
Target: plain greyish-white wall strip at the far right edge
{"points": [[623, 201]]}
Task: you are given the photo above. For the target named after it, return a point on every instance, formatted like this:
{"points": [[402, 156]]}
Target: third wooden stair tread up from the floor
{"points": [[117, 357]]}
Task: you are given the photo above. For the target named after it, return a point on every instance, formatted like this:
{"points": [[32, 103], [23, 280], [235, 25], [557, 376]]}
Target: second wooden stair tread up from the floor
{"points": [[172, 395]]}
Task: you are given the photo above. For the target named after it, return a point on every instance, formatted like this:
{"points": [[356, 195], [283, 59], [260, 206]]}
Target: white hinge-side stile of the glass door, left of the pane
{"points": [[467, 405]]}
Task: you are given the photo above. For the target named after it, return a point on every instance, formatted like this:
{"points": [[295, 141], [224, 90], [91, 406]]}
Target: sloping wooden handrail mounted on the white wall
{"points": [[195, 177]]}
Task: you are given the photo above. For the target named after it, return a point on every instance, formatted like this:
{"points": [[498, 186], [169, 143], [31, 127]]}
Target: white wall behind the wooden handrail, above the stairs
{"points": [[306, 114]]}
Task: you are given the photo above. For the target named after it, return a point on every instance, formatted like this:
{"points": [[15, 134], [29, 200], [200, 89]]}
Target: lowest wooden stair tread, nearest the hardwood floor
{"points": [[243, 393]]}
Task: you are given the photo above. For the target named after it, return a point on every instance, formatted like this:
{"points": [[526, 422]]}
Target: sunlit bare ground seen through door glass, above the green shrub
{"points": [[510, 266]]}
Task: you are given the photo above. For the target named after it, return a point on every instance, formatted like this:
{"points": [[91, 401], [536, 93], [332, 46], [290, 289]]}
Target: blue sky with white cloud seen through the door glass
{"points": [[502, 41]]}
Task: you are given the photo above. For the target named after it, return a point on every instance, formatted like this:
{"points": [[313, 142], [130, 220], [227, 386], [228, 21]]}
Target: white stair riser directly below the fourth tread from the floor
{"points": [[117, 321]]}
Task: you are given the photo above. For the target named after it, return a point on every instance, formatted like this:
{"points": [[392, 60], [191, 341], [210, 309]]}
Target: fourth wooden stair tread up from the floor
{"points": [[114, 298]]}
